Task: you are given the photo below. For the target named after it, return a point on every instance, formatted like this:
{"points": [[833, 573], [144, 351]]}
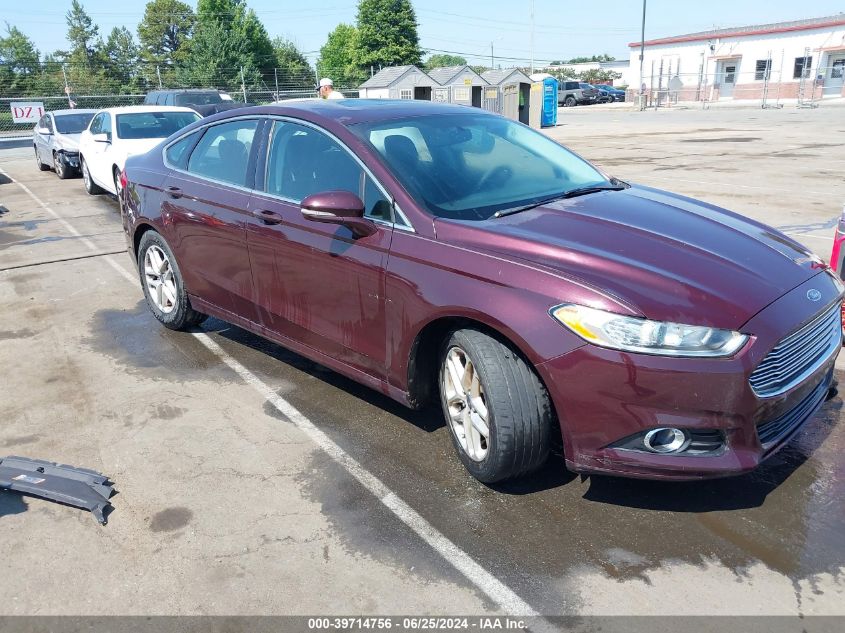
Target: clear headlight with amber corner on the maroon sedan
{"points": [[632, 334]]}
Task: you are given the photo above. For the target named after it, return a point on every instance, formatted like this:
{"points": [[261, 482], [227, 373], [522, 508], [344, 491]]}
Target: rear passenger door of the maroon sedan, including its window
{"points": [[207, 207]]}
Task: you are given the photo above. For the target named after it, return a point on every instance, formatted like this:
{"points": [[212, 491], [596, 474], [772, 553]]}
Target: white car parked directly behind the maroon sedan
{"points": [[116, 133]]}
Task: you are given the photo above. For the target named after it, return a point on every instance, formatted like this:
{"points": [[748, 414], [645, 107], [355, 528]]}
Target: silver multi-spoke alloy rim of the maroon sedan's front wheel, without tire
{"points": [[466, 404]]}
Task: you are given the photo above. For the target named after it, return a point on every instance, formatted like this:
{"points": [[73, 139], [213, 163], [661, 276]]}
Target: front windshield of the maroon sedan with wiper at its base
{"points": [[469, 166]]}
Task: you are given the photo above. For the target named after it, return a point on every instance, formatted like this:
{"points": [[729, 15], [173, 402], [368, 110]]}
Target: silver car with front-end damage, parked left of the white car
{"points": [[56, 140]]}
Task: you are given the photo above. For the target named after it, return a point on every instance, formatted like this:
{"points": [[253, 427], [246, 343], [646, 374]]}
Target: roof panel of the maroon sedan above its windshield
{"points": [[352, 111]]}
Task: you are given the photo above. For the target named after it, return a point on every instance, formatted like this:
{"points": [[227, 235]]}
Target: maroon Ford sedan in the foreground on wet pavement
{"points": [[440, 252]]}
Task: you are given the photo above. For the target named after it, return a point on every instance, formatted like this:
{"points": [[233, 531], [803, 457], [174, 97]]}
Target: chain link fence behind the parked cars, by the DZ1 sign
{"points": [[55, 86]]}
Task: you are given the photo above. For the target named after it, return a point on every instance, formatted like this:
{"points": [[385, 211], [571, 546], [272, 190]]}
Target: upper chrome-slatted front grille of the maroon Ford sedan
{"points": [[797, 356]]}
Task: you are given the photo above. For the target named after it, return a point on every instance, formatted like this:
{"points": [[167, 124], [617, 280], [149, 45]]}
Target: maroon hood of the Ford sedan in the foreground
{"points": [[665, 256]]}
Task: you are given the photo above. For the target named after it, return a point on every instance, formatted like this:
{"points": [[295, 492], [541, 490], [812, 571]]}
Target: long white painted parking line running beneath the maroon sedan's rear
{"points": [[496, 590]]}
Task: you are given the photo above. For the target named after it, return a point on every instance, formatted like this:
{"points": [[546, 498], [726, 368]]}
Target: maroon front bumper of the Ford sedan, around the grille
{"points": [[603, 396]]}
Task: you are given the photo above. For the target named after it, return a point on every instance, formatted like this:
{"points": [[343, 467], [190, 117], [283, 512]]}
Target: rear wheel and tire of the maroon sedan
{"points": [[163, 286]]}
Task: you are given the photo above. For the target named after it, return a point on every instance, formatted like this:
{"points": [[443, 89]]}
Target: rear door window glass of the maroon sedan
{"points": [[223, 152]]}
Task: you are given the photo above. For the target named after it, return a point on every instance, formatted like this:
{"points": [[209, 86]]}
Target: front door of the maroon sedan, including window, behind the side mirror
{"points": [[318, 283]]}
